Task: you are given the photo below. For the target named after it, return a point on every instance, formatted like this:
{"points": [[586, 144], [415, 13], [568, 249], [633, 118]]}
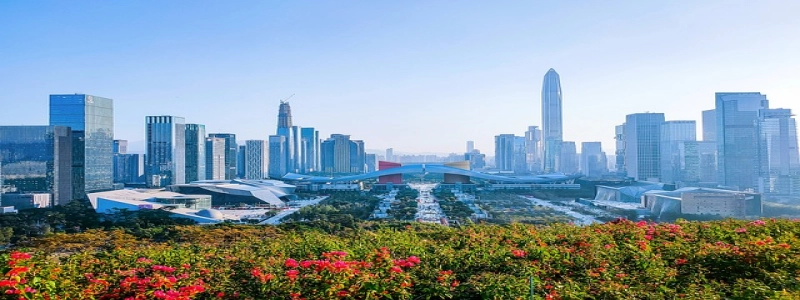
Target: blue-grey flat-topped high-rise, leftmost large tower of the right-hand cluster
{"points": [[642, 134]]}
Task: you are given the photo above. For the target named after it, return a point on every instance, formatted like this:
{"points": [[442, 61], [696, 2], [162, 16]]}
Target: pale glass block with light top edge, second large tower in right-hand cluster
{"points": [[680, 156]]}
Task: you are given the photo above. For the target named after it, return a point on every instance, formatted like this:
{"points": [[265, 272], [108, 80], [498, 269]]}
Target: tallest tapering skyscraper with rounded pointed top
{"points": [[552, 132]]}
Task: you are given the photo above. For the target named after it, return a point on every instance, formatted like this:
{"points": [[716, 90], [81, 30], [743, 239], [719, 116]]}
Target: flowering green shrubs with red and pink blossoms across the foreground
{"points": [[619, 260]]}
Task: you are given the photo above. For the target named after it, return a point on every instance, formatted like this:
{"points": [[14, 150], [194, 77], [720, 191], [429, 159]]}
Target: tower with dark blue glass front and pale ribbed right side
{"points": [[165, 159]]}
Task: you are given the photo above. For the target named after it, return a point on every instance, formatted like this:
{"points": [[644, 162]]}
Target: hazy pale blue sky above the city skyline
{"points": [[418, 76]]}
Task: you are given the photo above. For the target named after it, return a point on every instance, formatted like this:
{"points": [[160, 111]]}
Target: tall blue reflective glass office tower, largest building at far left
{"points": [[91, 119]]}
